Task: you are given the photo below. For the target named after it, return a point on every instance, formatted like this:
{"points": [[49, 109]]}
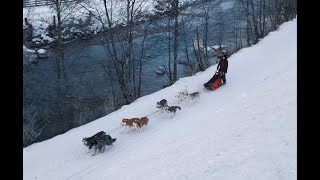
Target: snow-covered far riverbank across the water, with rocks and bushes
{"points": [[81, 20]]}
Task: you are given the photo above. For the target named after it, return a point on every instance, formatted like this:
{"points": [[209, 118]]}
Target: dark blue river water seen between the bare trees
{"points": [[89, 82]]}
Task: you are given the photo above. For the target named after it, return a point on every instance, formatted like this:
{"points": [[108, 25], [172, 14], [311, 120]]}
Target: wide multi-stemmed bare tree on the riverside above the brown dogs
{"points": [[121, 63]]}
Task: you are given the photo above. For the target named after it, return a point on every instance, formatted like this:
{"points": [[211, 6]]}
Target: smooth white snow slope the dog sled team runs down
{"points": [[244, 130]]}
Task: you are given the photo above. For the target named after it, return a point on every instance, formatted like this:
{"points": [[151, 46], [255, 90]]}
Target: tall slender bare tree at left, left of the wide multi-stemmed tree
{"points": [[65, 110]]}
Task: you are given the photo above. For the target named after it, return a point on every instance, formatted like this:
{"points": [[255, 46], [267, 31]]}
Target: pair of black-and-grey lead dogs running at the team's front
{"points": [[98, 141]]}
